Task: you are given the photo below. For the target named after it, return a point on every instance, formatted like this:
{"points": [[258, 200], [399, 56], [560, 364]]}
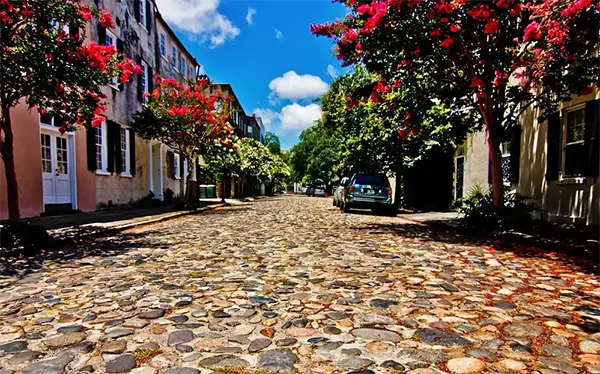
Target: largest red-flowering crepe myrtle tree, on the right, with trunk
{"points": [[493, 58]]}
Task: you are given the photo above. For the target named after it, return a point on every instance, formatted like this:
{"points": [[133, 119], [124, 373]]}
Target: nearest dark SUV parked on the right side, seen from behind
{"points": [[369, 191]]}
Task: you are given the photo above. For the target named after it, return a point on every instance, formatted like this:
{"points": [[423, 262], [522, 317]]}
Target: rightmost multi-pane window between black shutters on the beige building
{"points": [[574, 145]]}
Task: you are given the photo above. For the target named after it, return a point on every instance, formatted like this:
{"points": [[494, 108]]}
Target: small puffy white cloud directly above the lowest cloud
{"points": [[297, 87]]}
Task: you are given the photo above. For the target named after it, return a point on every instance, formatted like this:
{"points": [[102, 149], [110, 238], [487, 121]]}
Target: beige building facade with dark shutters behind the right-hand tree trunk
{"points": [[554, 162]]}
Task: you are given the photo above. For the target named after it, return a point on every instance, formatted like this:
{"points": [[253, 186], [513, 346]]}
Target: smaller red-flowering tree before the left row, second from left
{"points": [[187, 119]]}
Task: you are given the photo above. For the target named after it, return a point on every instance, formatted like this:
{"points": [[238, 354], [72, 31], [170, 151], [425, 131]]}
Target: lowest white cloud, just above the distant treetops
{"points": [[293, 118]]}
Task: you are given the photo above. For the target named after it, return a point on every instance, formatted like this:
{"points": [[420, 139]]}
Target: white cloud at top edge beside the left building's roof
{"points": [[200, 19]]}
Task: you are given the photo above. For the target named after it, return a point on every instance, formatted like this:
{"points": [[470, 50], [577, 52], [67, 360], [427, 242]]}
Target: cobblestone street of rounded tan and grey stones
{"points": [[292, 284]]}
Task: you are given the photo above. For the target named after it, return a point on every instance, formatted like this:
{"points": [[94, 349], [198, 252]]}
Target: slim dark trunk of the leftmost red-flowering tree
{"points": [[7, 153]]}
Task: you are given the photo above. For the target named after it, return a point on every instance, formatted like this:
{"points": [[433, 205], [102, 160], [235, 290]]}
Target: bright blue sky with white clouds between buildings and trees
{"points": [[265, 50]]}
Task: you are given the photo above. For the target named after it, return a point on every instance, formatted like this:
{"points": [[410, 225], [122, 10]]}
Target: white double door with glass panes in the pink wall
{"points": [[56, 169]]}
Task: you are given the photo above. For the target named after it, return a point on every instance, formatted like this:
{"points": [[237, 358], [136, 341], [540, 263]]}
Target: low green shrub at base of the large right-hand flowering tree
{"points": [[477, 211]]}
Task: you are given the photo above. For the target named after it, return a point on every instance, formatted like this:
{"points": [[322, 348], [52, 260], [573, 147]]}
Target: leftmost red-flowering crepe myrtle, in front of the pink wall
{"points": [[47, 65]]}
